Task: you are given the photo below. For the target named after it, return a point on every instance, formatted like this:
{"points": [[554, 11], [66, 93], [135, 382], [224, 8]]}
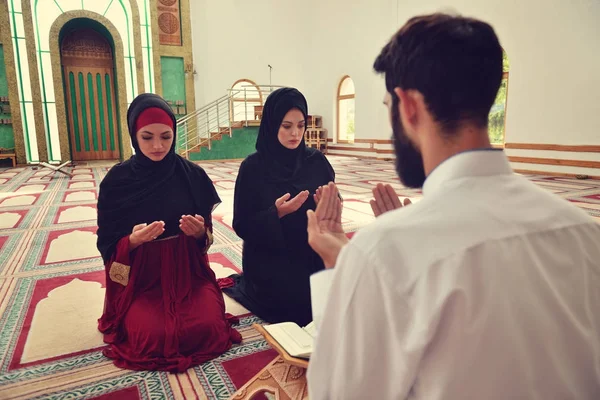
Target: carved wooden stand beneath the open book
{"points": [[285, 376]]}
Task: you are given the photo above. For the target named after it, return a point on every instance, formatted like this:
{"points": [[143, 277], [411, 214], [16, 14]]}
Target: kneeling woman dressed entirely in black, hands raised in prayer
{"points": [[272, 194]]}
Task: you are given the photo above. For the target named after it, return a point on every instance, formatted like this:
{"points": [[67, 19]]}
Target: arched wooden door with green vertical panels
{"points": [[89, 80]]}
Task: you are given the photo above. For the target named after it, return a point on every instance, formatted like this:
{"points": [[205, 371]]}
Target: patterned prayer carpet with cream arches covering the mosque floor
{"points": [[51, 283]]}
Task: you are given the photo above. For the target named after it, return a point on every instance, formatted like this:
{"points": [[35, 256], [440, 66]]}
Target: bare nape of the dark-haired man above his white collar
{"points": [[439, 147]]}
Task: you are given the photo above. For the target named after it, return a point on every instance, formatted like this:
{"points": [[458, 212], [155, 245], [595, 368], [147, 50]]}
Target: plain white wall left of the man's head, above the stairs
{"points": [[310, 46]]}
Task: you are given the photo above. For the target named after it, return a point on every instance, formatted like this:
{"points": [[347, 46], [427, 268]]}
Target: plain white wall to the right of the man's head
{"points": [[554, 78]]}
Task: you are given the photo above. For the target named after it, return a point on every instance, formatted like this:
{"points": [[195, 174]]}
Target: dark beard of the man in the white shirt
{"points": [[409, 162]]}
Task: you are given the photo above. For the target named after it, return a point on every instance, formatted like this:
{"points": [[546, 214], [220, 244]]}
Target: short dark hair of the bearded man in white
{"points": [[455, 62]]}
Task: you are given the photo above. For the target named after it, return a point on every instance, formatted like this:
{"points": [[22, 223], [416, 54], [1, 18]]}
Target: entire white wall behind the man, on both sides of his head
{"points": [[553, 48]]}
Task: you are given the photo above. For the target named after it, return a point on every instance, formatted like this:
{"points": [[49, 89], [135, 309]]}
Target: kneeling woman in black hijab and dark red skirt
{"points": [[163, 309]]}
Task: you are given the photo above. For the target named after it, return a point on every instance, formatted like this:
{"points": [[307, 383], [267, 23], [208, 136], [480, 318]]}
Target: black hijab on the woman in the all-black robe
{"points": [[281, 164]]}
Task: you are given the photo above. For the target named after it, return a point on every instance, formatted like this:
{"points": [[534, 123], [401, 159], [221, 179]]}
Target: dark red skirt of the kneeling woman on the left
{"points": [[170, 316]]}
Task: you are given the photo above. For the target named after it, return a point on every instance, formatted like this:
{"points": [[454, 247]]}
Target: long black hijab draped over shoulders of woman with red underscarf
{"points": [[127, 191]]}
